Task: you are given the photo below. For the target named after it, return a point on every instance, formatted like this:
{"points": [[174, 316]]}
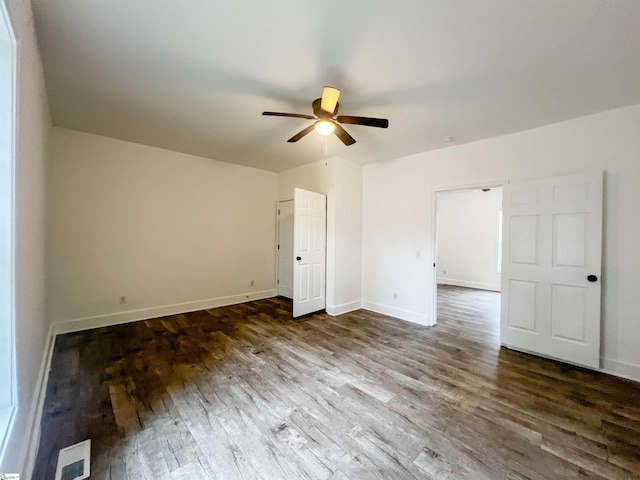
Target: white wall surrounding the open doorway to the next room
{"points": [[397, 216]]}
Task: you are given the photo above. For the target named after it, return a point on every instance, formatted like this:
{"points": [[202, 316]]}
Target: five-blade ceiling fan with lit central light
{"points": [[326, 122]]}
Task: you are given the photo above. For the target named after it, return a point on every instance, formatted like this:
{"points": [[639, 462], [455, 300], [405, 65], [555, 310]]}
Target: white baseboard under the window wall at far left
{"points": [[37, 406]]}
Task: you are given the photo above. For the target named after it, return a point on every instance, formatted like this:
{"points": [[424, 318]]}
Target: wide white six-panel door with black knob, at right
{"points": [[551, 262]]}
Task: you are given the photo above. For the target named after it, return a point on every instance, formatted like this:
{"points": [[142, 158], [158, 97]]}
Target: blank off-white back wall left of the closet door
{"points": [[171, 232]]}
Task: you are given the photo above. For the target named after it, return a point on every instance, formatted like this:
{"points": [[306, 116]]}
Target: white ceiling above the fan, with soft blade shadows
{"points": [[195, 75]]}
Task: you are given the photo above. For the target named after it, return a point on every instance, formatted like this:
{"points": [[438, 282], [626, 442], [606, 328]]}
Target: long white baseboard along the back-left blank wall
{"points": [[106, 320]]}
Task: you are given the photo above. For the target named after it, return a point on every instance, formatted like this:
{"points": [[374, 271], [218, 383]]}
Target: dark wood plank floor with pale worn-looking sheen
{"points": [[247, 392]]}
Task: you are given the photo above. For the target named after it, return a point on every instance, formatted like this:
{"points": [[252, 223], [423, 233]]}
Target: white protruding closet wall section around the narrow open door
{"points": [[341, 181]]}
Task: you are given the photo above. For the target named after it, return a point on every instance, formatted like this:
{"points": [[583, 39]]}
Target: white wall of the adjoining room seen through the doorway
{"points": [[468, 238]]}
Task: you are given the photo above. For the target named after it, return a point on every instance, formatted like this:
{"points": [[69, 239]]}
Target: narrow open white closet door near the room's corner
{"points": [[309, 246]]}
